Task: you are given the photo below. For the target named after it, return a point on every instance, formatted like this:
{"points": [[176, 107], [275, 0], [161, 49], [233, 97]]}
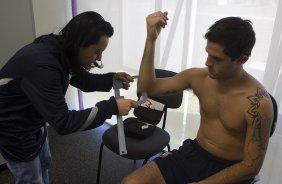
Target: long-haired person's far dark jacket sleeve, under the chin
{"points": [[89, 82]]}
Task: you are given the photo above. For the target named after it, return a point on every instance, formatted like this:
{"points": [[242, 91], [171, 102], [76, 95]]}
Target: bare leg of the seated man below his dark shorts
{"points": [[148, 174]]}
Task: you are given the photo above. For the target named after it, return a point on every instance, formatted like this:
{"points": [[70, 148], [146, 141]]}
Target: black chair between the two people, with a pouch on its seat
{"points": [[139, 149]]}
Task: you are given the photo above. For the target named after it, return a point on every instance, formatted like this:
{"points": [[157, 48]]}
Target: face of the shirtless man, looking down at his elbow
{"points": [[220, 65]]}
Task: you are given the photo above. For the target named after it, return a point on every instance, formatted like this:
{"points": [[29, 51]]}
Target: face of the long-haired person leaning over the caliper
{"points": [[89, 55]]}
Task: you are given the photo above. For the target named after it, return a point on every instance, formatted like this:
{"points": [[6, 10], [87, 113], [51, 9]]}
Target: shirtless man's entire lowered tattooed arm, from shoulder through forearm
{"points": [[259, 118]]}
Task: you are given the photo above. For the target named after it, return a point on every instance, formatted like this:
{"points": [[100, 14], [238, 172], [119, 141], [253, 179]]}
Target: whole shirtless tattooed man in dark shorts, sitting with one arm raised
{"points": [[236, 111]]}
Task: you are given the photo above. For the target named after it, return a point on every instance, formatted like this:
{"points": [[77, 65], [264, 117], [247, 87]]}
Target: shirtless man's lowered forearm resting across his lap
{"points": [[233, 174]]}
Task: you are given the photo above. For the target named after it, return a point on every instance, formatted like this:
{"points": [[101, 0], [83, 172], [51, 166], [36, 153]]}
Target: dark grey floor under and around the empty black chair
{"points": [[75, 159]]}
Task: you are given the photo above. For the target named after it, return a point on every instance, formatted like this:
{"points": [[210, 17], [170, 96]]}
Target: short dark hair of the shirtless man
{"points": [[235, 35]]}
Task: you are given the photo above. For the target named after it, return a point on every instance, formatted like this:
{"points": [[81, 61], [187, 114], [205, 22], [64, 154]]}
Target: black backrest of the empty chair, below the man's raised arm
{"points": [[170, 101]]}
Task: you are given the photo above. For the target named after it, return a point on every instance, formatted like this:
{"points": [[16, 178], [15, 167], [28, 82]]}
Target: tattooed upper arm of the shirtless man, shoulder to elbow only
{"points": [[259, 127]]}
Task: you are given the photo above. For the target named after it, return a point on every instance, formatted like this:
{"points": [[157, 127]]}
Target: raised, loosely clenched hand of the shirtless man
{"points": [[155, 22]]}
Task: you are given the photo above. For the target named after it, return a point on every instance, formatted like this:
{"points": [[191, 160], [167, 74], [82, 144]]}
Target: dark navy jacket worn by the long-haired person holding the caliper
{"points": [[33, 84]]}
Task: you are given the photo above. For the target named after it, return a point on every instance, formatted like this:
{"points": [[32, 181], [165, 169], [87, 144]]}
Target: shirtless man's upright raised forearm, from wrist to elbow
{"points": [[147, 69]]}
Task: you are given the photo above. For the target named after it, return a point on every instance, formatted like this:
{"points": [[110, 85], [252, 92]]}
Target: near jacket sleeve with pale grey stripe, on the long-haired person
{"points": [[44, 88]]}
